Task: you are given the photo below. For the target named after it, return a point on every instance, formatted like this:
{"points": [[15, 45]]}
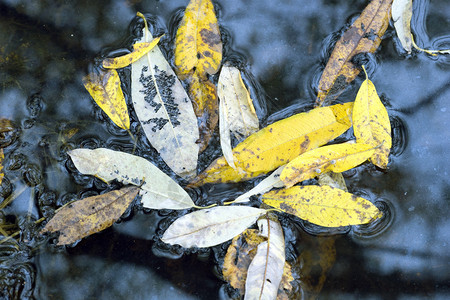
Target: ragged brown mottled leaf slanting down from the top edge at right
{"points": [[363, 36]]}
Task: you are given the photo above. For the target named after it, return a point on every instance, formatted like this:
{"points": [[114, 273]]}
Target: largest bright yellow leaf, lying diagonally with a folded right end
{"points": [[279, 143]]}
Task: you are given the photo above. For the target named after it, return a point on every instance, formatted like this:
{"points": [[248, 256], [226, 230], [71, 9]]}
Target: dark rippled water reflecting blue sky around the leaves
{"points": [[46, 47]]}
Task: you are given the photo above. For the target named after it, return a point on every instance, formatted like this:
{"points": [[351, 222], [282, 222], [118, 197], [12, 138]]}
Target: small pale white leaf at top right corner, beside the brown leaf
{"points": [[401, 15]]}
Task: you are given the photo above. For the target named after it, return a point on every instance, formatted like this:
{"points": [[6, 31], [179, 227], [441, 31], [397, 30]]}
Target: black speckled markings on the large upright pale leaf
{"points": [[165, 84]]}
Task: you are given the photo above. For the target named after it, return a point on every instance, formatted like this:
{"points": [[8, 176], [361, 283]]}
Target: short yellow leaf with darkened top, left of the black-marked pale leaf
{"points": [[107, 93]]}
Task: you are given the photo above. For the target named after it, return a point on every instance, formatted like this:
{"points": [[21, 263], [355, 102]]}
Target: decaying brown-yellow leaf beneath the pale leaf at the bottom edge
{"points": [[238, 258]]}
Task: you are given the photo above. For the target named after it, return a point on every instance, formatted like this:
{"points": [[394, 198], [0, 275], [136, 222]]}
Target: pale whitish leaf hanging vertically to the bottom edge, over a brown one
{"points": [[266, 269]]}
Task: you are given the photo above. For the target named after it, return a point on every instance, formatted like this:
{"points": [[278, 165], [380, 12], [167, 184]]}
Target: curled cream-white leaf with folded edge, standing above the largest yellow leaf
{"points": [[236, 112]]}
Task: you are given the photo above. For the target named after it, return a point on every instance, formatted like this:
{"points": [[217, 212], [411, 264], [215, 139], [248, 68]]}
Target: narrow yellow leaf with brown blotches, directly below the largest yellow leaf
{"points": [[337, 158]]}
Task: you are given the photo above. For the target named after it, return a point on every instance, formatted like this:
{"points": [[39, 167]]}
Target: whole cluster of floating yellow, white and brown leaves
{"points": [[179, 124]]}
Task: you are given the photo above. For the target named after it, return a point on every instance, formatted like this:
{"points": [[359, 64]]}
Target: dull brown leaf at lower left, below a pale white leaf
{"points": [[90, 215]]}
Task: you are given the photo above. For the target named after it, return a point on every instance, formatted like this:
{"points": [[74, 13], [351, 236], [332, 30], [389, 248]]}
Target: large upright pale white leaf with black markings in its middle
{"points": [[165, 111]]}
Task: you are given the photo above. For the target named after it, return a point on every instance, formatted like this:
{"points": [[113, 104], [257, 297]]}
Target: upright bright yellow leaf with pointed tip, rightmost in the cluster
{"points": [[371, 123]]}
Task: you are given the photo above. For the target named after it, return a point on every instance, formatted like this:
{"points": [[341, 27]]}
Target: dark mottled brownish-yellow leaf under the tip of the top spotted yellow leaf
{"points": [[206, 107]]}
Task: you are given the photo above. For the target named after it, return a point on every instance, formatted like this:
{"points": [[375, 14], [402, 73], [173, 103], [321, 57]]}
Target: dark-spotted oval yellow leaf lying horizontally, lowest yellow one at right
{"points": [[323, 205]]}
